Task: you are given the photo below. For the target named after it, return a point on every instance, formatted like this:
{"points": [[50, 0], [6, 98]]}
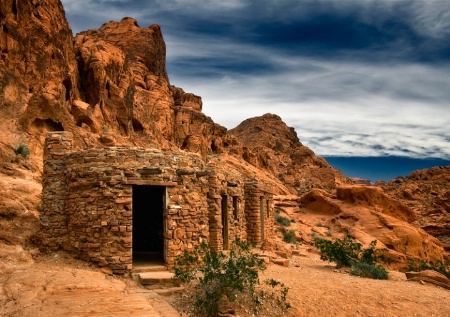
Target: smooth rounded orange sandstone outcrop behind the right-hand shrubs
{"points": [[366, 214]]}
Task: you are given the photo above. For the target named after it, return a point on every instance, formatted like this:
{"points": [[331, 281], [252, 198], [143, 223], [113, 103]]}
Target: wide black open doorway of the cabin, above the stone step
{"points": [[148, 224]]}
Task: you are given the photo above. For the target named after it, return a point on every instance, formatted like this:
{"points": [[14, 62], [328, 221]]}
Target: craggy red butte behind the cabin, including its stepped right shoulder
{"points": [[127, 91]]}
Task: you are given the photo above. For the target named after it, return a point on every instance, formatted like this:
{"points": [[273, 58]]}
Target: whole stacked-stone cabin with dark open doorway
{"points": [[121, 206]]}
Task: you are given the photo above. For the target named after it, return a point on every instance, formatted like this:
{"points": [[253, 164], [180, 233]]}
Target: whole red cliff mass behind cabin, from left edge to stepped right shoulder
{"points": [[107, 86]]}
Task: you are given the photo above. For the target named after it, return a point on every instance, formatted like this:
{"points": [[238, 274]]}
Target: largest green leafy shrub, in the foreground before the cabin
{"points": [[235, 275]]}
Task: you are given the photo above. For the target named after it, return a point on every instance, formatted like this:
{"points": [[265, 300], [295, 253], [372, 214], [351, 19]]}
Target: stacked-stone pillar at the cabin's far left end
{"points": [[53, 216]]}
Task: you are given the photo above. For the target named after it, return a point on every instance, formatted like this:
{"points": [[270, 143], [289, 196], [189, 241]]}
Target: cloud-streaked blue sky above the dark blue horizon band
{"points": [[353, 77]]}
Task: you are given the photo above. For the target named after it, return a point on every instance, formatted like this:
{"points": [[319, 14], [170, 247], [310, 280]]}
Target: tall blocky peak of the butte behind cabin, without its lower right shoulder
{"points": [[124, 79]]}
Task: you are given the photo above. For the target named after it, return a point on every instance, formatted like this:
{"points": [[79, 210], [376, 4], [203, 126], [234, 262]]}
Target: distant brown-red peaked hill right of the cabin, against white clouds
{"points": [[271, 144]]}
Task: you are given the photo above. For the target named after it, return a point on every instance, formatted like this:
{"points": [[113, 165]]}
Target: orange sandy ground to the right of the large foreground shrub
{"points": [[318, 289]]}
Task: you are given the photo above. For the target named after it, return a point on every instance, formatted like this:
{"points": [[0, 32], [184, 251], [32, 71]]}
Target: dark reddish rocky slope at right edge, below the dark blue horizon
{"points": [[427, 192]]}
